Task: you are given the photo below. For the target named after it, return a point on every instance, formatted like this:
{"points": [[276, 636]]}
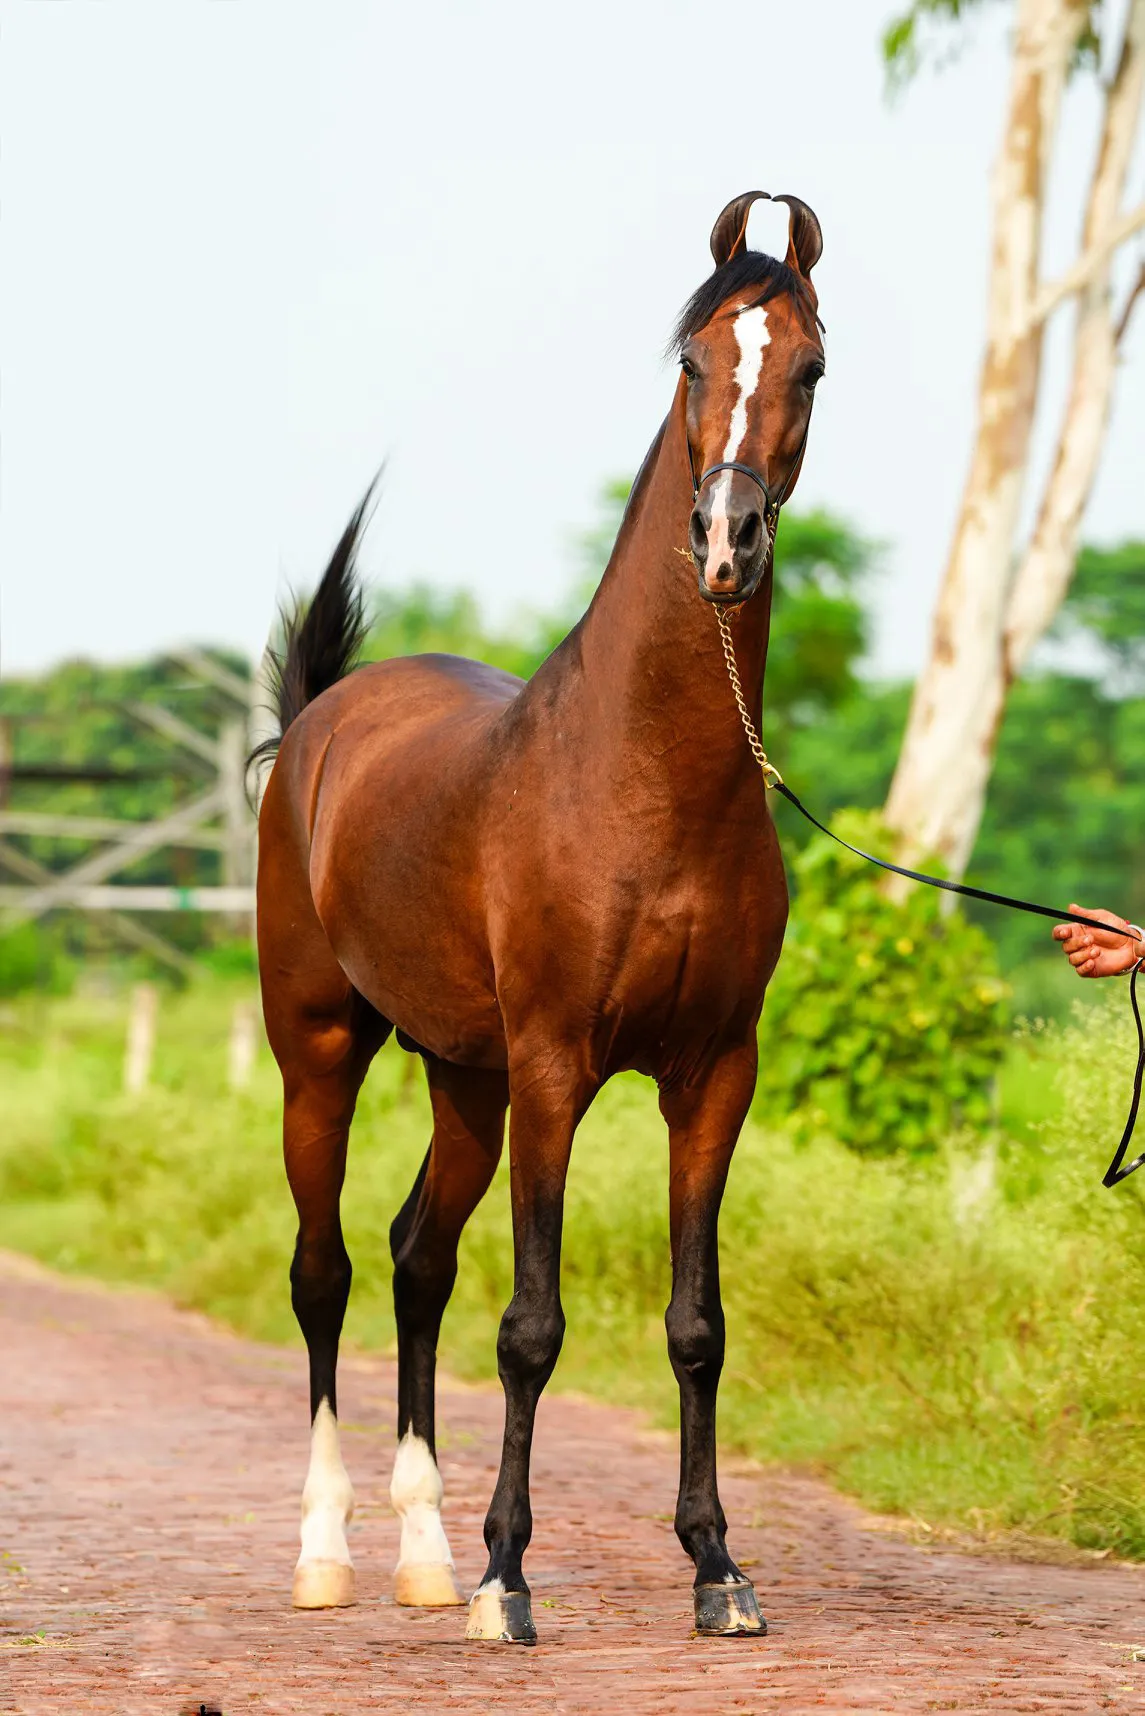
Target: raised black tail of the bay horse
{"points": [[322, 641]]}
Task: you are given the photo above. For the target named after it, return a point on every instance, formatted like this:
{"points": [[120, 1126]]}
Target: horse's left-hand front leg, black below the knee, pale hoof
{"points": [[545, 1109]]}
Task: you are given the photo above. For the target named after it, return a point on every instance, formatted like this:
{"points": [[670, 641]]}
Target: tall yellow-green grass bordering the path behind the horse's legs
{"points": [[966, 1358]]}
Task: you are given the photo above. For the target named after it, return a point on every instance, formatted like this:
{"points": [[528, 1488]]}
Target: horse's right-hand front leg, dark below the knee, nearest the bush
{"points": [[703, 1127]]}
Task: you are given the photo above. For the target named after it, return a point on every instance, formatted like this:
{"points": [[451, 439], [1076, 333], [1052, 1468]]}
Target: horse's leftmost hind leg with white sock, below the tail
{"points": [[324, 1037]]}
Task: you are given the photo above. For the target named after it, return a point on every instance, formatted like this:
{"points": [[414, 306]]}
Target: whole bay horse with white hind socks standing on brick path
{"points": [[542, 885]]}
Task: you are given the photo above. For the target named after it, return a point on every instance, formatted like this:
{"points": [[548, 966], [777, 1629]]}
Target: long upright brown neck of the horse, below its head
{"points": [[653, 668]]}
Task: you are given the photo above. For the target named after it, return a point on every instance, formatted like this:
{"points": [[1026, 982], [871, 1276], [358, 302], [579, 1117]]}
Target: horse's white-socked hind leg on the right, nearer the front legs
{"points": [[468, 1133]]}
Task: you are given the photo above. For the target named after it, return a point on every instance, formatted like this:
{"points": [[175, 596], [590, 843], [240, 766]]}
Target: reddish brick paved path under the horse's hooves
{"points": [[150, 1473]]}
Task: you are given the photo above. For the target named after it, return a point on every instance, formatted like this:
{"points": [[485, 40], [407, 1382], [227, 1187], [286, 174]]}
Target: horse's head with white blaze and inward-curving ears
{"points": [[749, 344]]}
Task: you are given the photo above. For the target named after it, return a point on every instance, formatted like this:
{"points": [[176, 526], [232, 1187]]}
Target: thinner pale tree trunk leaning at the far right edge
{"points": [[1046, 571]]}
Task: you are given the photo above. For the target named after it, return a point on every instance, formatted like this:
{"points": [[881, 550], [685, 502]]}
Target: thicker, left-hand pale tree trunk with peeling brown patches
{"points": [[940, 785]]}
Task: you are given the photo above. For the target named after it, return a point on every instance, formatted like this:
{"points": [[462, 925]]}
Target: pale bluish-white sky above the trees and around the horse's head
{"points": [[250, 250]]}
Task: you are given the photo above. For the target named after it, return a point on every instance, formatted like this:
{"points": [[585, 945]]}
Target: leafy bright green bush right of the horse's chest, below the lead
{"points": [[887, 1024]]}
